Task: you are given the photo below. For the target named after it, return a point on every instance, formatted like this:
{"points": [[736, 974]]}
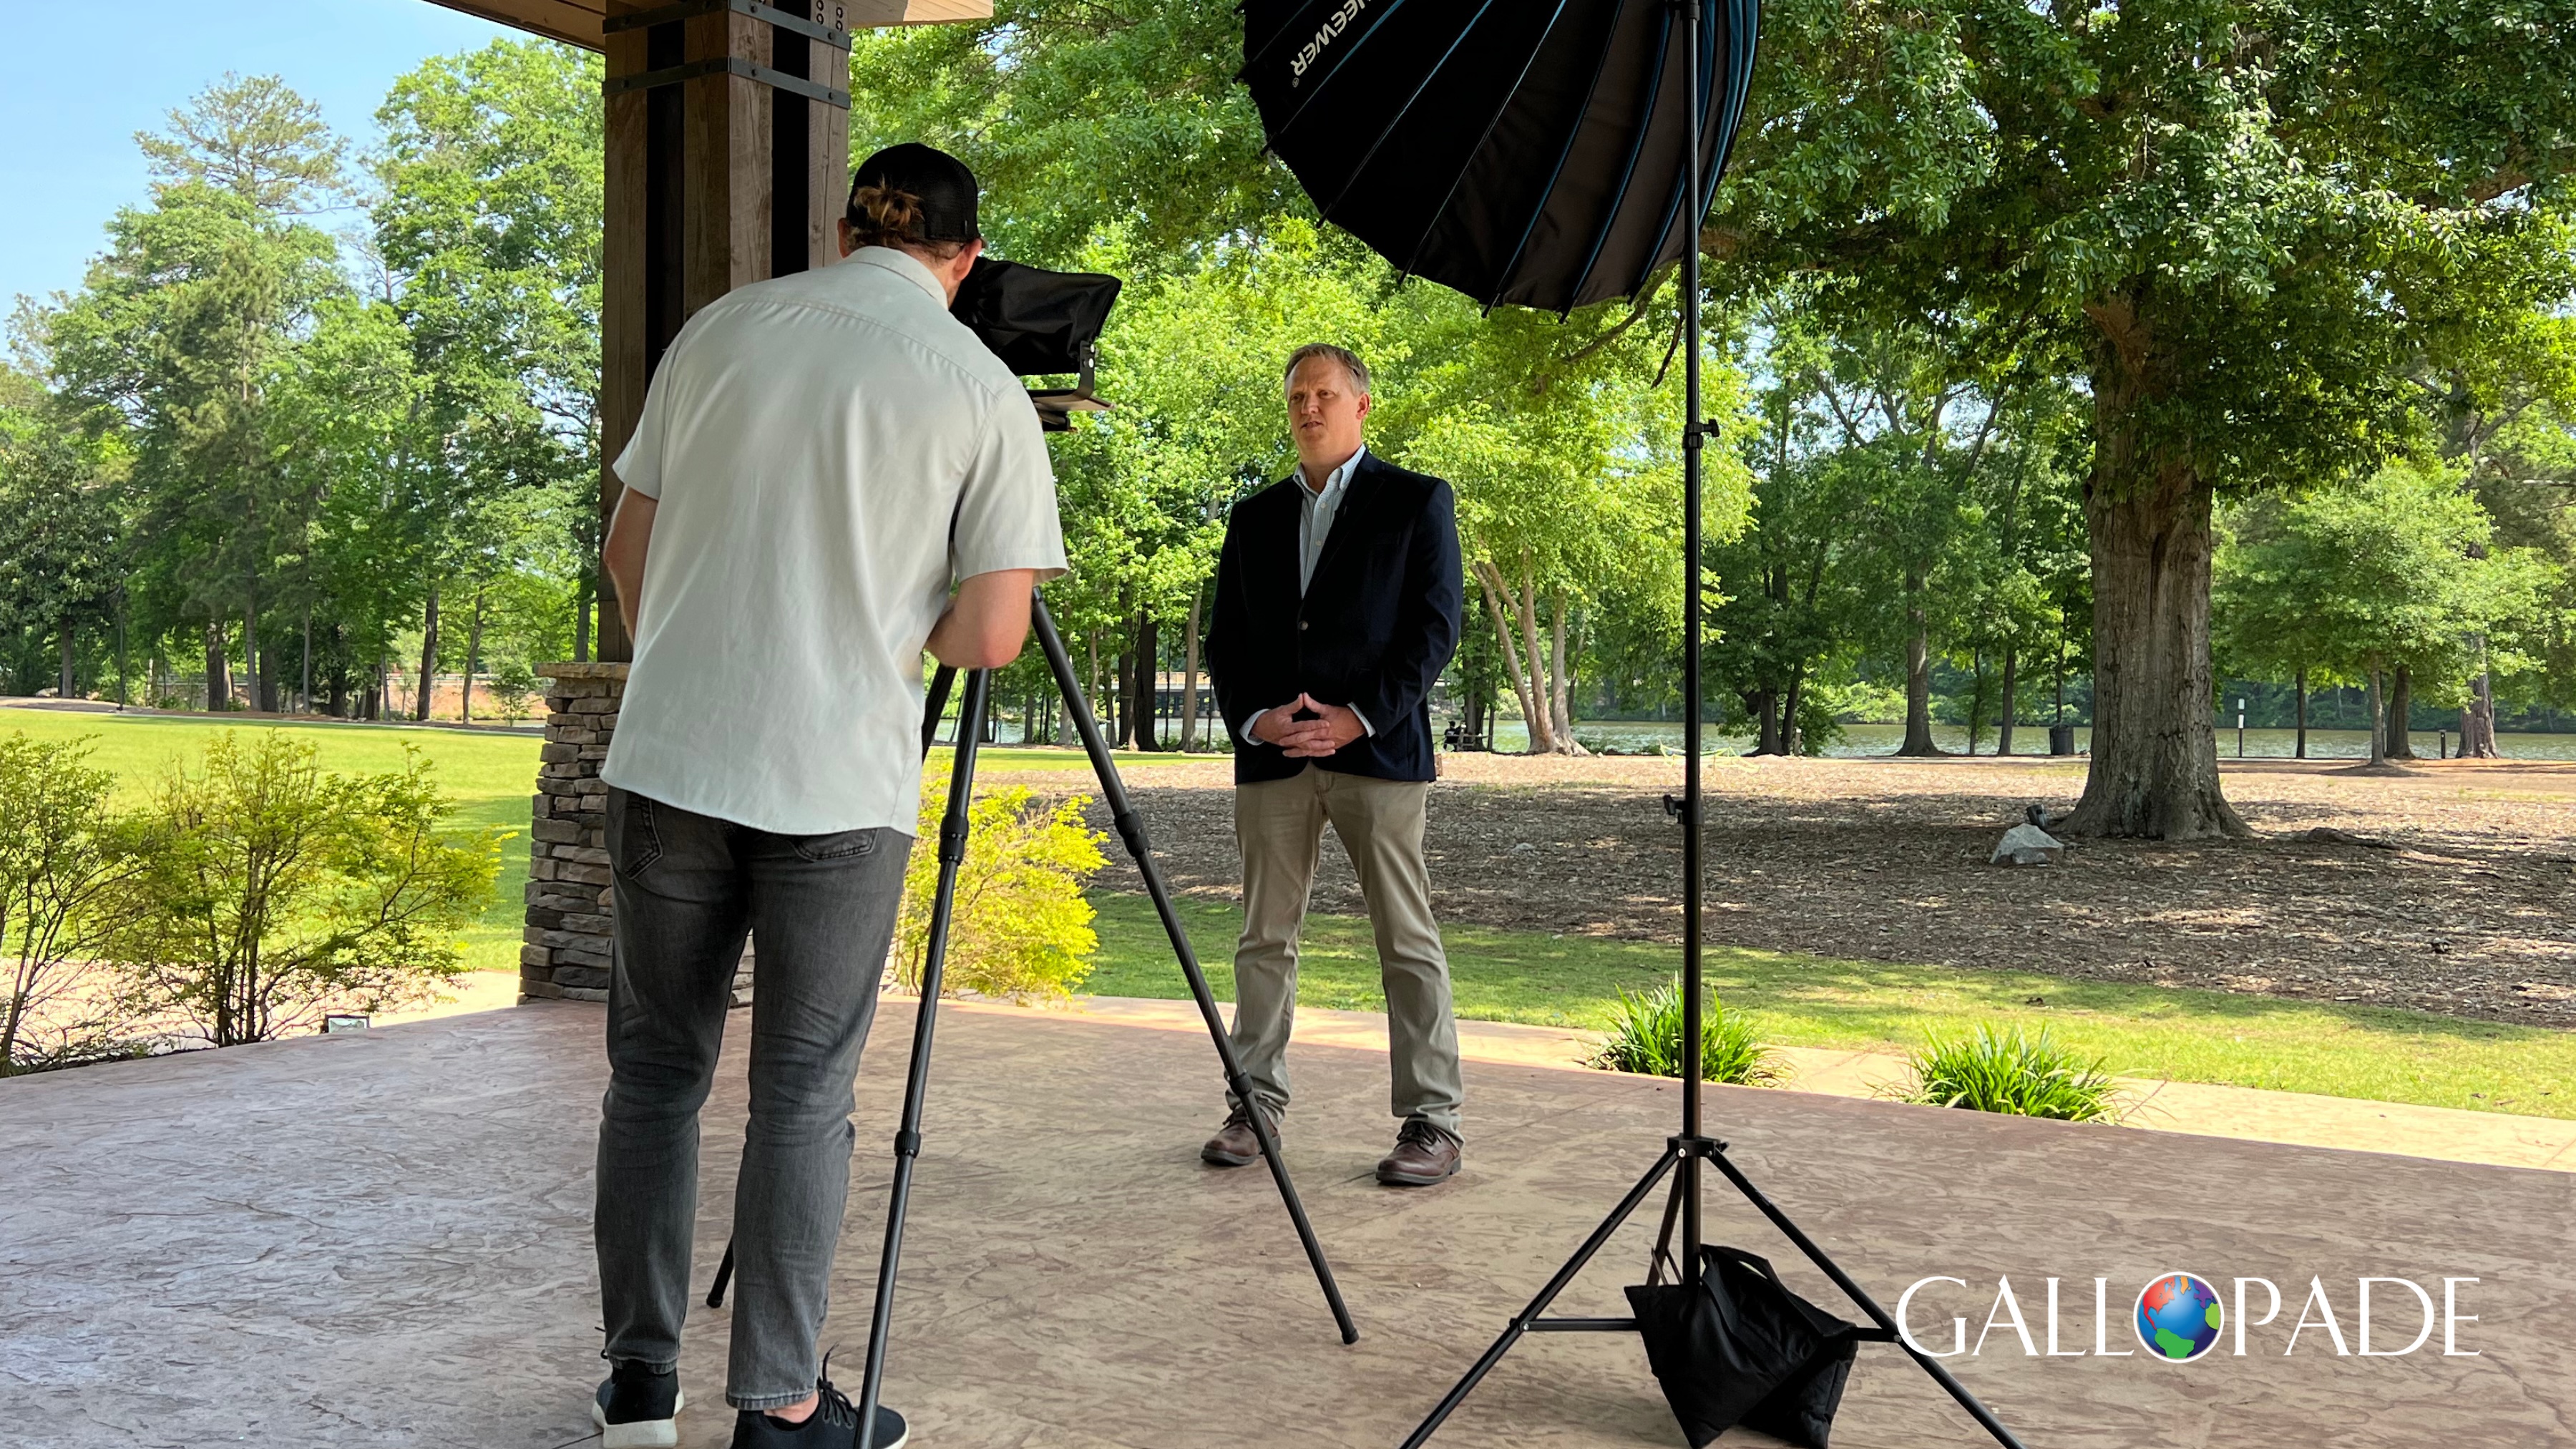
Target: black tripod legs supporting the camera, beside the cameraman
{"points": [[908, 1138]]}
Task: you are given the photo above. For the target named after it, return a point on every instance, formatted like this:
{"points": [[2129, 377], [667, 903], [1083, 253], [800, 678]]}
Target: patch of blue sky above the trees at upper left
{"points": [[109, 71]]}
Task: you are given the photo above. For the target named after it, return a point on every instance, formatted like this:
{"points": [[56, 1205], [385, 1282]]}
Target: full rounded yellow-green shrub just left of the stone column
{"points": [[272, 893]]}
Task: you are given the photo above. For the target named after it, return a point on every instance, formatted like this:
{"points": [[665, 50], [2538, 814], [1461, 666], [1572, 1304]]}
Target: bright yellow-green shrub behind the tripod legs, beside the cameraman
{"points": [[1021, 927]]}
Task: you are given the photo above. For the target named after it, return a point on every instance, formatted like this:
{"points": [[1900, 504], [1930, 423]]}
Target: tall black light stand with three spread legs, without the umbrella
{"points": [[1691, 1149]]}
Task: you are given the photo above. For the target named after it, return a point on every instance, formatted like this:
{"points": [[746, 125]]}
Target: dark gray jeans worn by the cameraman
{"points": [[687, 893]]}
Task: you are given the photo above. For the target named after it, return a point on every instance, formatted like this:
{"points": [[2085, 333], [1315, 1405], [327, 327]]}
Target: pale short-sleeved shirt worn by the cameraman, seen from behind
{"points": [[831, 455]]}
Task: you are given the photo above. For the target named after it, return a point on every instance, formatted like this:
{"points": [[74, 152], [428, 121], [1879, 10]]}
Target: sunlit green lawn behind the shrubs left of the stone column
{"points": [[491, 780]]}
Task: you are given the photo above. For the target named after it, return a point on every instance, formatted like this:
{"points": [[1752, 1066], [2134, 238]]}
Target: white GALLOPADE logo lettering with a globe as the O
{"points": [[2183, 1316]]}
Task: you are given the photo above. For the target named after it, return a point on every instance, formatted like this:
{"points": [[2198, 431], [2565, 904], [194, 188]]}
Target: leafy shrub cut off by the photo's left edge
{"points": [[63, 855]]}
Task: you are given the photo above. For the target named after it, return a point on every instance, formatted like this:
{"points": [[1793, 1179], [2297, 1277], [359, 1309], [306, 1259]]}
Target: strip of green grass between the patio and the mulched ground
{"points": [[1812, 1002]]}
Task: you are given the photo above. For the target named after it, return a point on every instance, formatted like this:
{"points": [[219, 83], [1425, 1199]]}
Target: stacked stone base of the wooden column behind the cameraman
{"points": [[571, 937]]}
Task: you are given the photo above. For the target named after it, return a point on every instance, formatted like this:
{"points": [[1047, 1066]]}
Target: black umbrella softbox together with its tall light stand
{"points": [[1549, 153]]}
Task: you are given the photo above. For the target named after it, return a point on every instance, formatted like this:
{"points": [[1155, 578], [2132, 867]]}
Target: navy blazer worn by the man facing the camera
{"points": [[1374, 630]]}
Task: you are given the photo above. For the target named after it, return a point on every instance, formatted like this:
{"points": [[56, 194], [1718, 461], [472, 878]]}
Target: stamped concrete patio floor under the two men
{"points": [[385, 1241]]}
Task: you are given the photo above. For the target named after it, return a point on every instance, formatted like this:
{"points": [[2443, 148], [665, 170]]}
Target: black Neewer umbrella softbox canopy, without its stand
{"points": [[1521, 153]]}
